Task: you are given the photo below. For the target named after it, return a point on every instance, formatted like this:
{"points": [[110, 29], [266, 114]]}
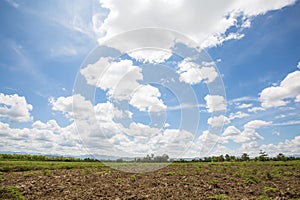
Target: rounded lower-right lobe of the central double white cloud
{"points": [[146, 98]]}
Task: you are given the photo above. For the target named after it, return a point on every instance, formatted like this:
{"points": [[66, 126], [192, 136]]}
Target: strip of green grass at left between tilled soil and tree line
{"points": [[15, 166]]}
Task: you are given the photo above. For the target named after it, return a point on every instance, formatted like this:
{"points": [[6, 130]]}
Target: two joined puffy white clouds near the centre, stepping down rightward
{"points": [[120, 80]]}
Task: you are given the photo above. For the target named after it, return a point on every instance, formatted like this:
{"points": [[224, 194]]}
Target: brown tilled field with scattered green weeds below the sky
{"points": [[190, 180]]}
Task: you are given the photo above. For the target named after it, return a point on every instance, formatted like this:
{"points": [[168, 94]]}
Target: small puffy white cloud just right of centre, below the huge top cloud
{"points": [[192, 73]]}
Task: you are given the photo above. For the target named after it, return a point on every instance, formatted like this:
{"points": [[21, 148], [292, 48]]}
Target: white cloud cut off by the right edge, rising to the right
{"points": [[276, 96]]}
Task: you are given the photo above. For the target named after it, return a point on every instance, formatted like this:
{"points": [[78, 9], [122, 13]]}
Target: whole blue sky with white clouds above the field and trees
{"points": [[130, 78]]}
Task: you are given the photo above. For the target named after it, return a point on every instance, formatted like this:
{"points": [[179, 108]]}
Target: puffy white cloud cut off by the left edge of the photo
{"points": [[15, 108]]}
